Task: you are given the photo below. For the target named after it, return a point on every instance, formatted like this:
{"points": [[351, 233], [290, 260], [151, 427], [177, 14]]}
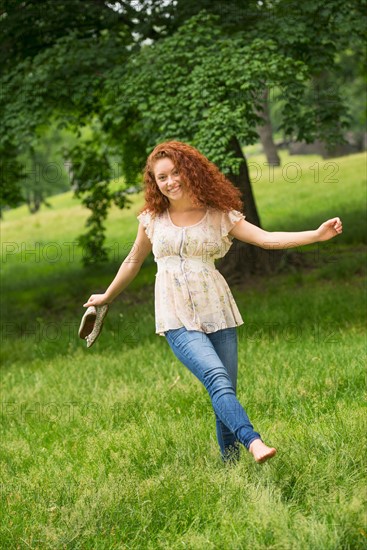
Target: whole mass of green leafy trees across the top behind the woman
{"points": [[140, 72]]}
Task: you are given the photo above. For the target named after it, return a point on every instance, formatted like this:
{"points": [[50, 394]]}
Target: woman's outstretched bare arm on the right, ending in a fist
{"points": [[249, 233]]}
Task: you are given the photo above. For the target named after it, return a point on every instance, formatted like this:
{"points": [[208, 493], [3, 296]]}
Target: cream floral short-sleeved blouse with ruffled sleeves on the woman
{"points": [[189, 291]]}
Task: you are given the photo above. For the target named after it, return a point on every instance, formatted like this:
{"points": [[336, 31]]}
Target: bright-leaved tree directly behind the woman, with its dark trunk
{"points": [[201, 86]]}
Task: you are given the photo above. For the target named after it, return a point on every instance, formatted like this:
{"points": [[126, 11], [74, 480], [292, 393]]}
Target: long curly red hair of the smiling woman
{"points": [[205, 184]]}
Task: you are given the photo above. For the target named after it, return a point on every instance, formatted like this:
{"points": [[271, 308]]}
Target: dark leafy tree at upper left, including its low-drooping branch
{"points": [[54, 71]]}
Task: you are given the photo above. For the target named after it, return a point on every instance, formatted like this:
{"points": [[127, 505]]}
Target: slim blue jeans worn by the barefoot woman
{"points": [[212, 358]]}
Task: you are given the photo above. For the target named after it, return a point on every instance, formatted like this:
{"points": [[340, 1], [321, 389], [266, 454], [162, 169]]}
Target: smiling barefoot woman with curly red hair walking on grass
{"points": [[191, 214]]}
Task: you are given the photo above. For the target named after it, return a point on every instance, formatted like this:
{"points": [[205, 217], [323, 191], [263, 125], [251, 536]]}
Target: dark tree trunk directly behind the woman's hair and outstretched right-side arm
{"points": [[244, 259]]}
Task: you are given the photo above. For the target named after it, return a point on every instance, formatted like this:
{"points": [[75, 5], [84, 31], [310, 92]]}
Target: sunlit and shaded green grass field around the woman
{"points": [[114, 447]]}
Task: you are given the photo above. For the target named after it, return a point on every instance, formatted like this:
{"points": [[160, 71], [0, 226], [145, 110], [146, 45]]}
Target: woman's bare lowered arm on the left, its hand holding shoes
{"points": [[130, 267]]}
